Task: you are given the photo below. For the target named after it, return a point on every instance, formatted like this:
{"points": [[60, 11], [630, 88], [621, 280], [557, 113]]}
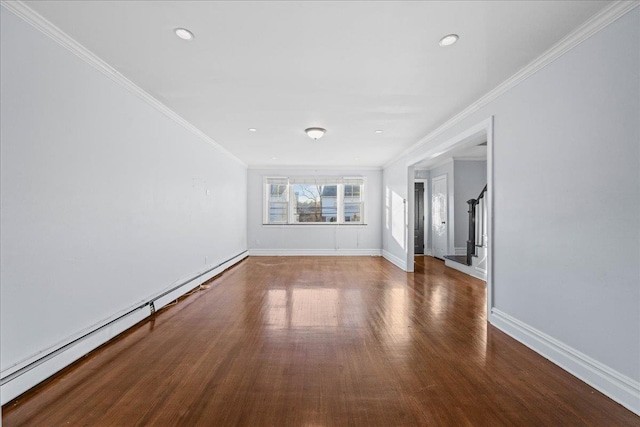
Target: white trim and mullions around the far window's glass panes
{"points": [[339, 182]]}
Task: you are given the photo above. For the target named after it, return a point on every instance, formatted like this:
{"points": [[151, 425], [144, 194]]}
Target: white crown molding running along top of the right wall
{"points": [[596, 23]]}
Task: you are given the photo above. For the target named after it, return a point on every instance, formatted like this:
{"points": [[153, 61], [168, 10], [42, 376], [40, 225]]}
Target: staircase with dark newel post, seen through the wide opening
{"points": [[474, 263]]}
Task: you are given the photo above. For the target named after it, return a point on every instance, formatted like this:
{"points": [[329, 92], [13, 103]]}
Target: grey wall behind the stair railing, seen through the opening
{"points": [[470, 177]]}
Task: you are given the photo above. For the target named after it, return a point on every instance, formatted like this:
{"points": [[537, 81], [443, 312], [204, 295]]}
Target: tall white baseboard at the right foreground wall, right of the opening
{"points": [[617, 386]]}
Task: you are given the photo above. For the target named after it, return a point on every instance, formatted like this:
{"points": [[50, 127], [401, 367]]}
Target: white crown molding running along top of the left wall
{"points": [[36, 20]]}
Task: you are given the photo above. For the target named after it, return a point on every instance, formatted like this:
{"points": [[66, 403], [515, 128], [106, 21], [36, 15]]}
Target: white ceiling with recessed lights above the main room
{"points": [[349, 67]]}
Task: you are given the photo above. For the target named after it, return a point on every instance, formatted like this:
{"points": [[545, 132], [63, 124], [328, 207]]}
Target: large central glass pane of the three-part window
{"points": [[315, 203]]}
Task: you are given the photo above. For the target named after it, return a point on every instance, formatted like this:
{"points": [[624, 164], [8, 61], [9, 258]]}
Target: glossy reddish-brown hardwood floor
{"points": [[320, 341]]}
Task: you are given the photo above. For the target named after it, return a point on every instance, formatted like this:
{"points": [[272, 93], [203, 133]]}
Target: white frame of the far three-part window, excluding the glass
{"points": [[338, 181]]}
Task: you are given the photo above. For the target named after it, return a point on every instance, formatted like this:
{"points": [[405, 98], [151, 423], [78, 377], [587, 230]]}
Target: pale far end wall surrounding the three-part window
{"points": [[314, 239]]}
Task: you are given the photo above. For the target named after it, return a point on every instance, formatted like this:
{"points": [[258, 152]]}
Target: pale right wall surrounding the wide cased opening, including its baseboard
{"points": [[566, 156]]}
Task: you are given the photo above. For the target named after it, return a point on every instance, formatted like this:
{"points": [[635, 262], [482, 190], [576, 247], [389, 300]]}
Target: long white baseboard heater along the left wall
{"points": [[150, 303]]}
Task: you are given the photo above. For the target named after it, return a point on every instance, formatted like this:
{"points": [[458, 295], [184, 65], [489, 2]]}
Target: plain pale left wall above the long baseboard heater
{"points": [[105, 200]]}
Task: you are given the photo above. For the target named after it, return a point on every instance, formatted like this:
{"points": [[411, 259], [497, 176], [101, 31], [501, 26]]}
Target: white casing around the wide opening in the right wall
{"points": [[467, 137]]}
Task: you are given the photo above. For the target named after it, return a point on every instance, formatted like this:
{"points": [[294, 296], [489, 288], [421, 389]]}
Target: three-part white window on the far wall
{"points": [[314, 200]]}
